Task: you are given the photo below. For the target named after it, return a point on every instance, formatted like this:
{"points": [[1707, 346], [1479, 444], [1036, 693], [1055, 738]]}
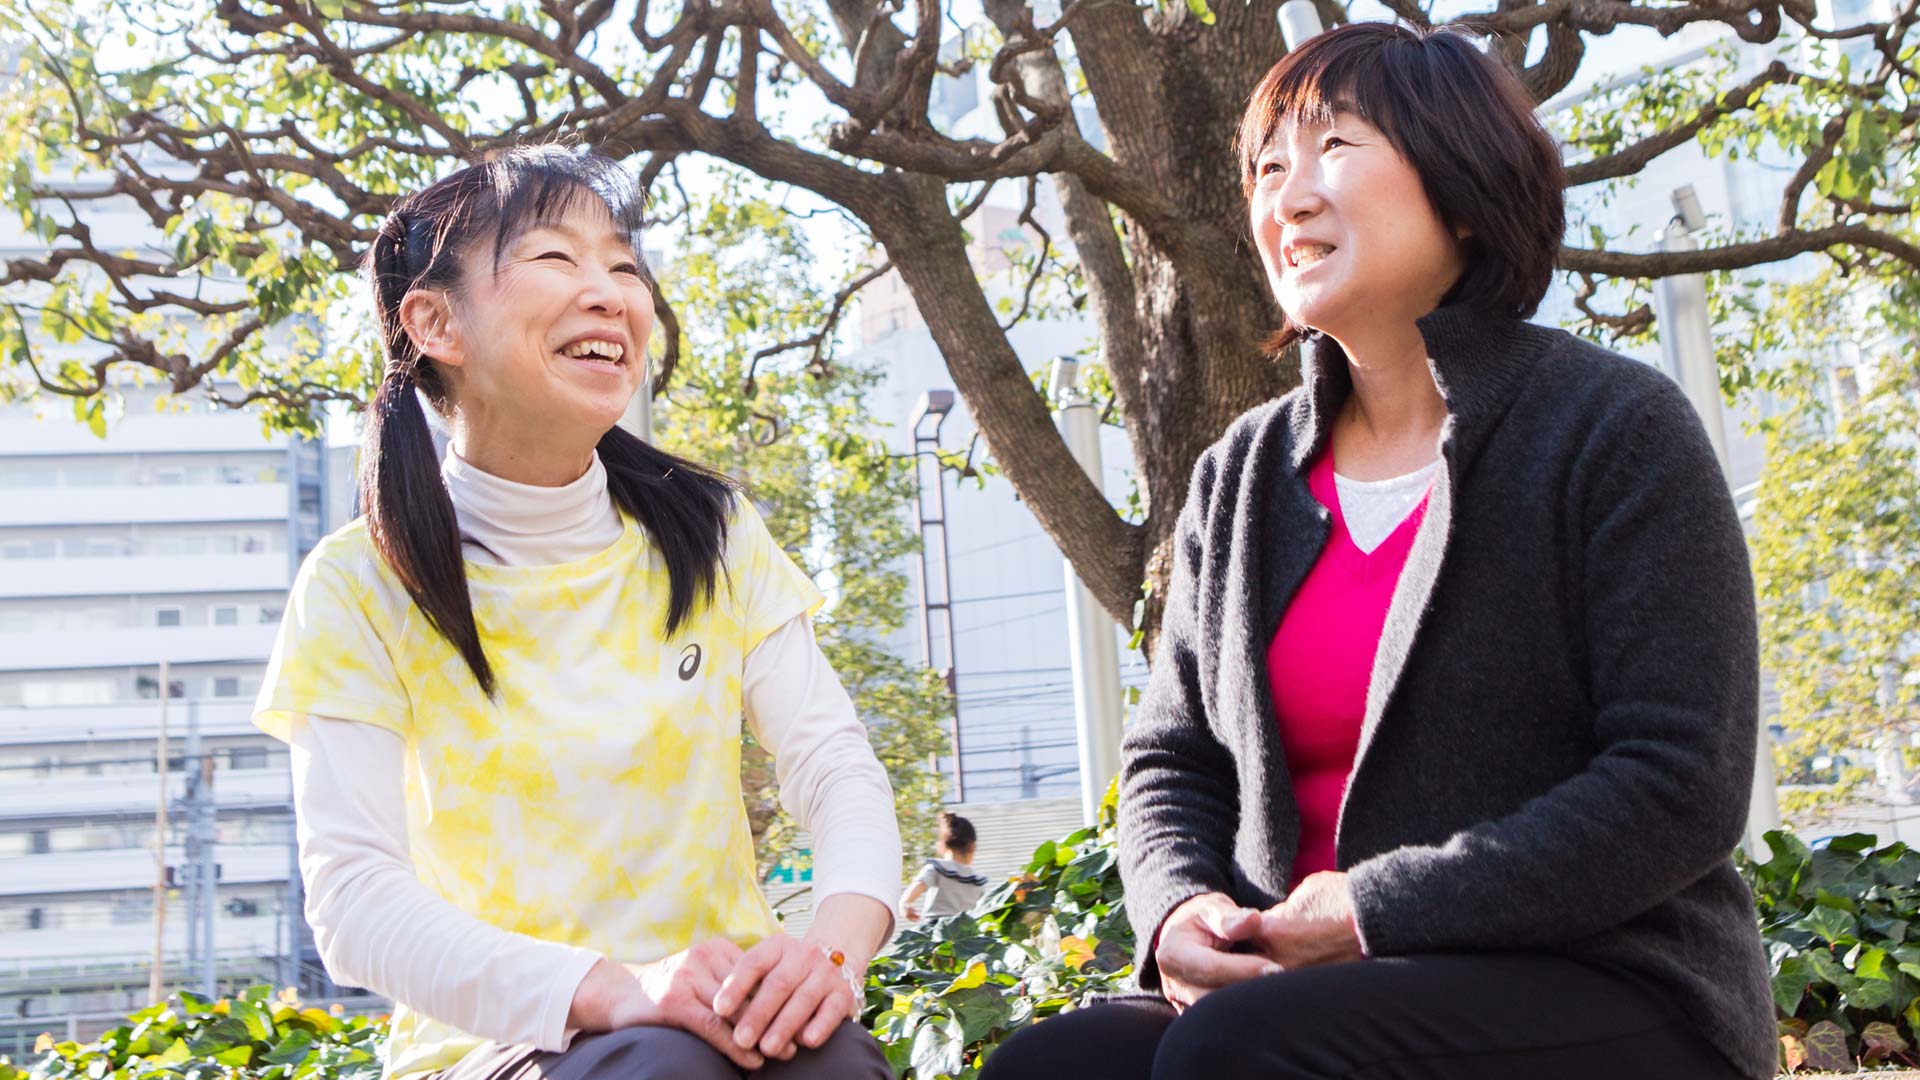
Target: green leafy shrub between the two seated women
{"points": [[942, 998]]}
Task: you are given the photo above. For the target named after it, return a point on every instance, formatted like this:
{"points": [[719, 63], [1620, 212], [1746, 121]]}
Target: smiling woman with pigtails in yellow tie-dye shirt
{"points": [[516, 689]]}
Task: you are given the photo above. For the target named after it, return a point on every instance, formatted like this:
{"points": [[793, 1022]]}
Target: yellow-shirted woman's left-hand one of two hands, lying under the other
{"points": [[675, 993]]}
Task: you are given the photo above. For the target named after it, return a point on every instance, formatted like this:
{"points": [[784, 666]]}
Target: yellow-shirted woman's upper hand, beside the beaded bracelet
{"points": [[786, 994]]}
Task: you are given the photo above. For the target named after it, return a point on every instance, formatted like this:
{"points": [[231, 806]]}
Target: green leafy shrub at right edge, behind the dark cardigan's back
{"points": [[1842, 929]]}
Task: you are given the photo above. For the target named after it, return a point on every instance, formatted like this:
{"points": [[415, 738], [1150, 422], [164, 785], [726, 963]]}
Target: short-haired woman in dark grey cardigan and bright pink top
{"points": [[1452, 722]]}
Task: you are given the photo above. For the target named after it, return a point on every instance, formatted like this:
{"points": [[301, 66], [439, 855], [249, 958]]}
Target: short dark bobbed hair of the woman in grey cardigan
{"points": [[1460, 118]]}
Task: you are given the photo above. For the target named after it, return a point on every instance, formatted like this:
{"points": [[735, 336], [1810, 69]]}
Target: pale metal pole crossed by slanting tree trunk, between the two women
{"points": [[1097, 702]]}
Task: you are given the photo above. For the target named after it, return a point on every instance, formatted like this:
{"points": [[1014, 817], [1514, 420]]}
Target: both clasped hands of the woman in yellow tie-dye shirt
{"points": [[748, 1004]]}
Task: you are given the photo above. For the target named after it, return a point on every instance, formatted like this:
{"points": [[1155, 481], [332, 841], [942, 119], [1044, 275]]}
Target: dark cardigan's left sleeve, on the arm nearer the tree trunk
{"points": [[1178, 785]]}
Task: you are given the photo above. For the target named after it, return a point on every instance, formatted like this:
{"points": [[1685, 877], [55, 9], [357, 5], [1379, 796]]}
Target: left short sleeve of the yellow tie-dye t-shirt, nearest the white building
{"points": [[329, 660]]}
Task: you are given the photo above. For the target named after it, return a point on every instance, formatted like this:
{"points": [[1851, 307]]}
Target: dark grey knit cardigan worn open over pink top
{"points": [[1560, 729]]}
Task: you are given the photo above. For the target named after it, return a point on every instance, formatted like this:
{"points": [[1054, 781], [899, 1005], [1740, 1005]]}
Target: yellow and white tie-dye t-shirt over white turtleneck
{"points": [[596, 800]]}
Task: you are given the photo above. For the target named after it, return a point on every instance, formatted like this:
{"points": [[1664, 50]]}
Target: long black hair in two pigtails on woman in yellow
{"points": [[410, 516]]}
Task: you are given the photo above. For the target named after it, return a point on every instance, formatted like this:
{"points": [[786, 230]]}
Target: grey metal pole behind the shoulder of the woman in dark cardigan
{"points": [[1687, 347]]}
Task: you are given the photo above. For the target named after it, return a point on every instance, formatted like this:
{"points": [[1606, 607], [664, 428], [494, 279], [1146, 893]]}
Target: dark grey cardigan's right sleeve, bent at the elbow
{"points": [[1673, 672]]}
